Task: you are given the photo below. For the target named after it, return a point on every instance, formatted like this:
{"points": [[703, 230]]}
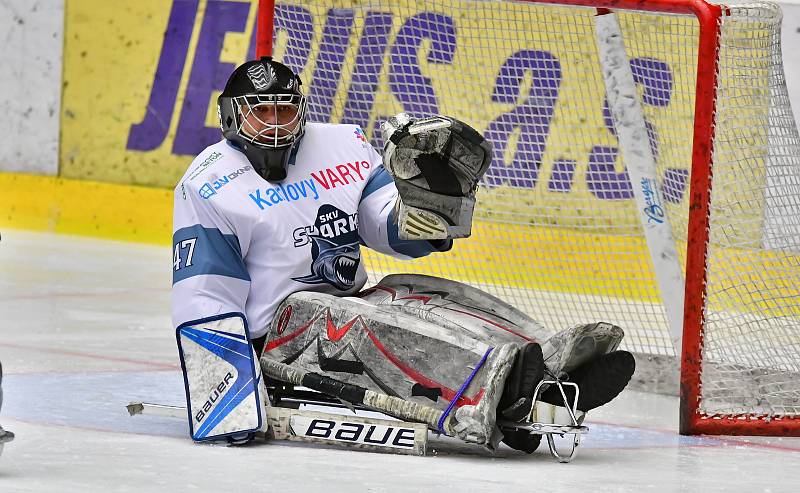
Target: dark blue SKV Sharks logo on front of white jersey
{"points": [[334, 248]]}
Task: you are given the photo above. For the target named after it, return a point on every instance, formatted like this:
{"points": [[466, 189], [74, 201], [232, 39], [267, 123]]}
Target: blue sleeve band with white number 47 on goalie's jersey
{"points": [[201, 251]]}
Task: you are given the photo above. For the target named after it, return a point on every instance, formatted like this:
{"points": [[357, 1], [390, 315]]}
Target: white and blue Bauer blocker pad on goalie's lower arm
{"points": [[224, 391]]}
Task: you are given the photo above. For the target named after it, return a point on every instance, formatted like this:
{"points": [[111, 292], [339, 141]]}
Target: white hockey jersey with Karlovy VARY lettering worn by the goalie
{"points": [[243, 244]]}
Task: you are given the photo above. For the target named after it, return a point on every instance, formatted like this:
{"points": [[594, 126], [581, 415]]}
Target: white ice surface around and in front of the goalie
{"points": [[85, 329]]}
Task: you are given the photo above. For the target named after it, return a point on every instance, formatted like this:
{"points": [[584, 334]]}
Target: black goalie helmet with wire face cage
{"points": [[263, 111]]}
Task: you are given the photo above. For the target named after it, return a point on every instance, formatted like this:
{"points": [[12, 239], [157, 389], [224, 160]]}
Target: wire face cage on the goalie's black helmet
{"points": [[270, 121]]}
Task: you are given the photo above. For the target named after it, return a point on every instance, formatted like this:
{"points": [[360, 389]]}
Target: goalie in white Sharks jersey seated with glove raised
{"points": [[268, 228]]}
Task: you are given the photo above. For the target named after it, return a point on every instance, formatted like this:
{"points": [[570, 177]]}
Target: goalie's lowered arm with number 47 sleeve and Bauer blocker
{"points": [[224, 390]]}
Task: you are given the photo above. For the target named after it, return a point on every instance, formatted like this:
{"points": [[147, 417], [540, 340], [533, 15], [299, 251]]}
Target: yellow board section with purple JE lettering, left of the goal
{"points": [[127, 67]]}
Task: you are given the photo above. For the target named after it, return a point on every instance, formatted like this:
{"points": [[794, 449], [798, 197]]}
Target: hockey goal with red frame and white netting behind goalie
{"points": [[559, 231]]}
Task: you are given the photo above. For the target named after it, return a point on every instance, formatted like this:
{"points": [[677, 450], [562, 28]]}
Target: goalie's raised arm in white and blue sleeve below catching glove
{"points": [[377, 221]]}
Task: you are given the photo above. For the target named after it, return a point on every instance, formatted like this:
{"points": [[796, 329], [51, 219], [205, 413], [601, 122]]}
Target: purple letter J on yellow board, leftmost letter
{"points": [[151, 131]]}
